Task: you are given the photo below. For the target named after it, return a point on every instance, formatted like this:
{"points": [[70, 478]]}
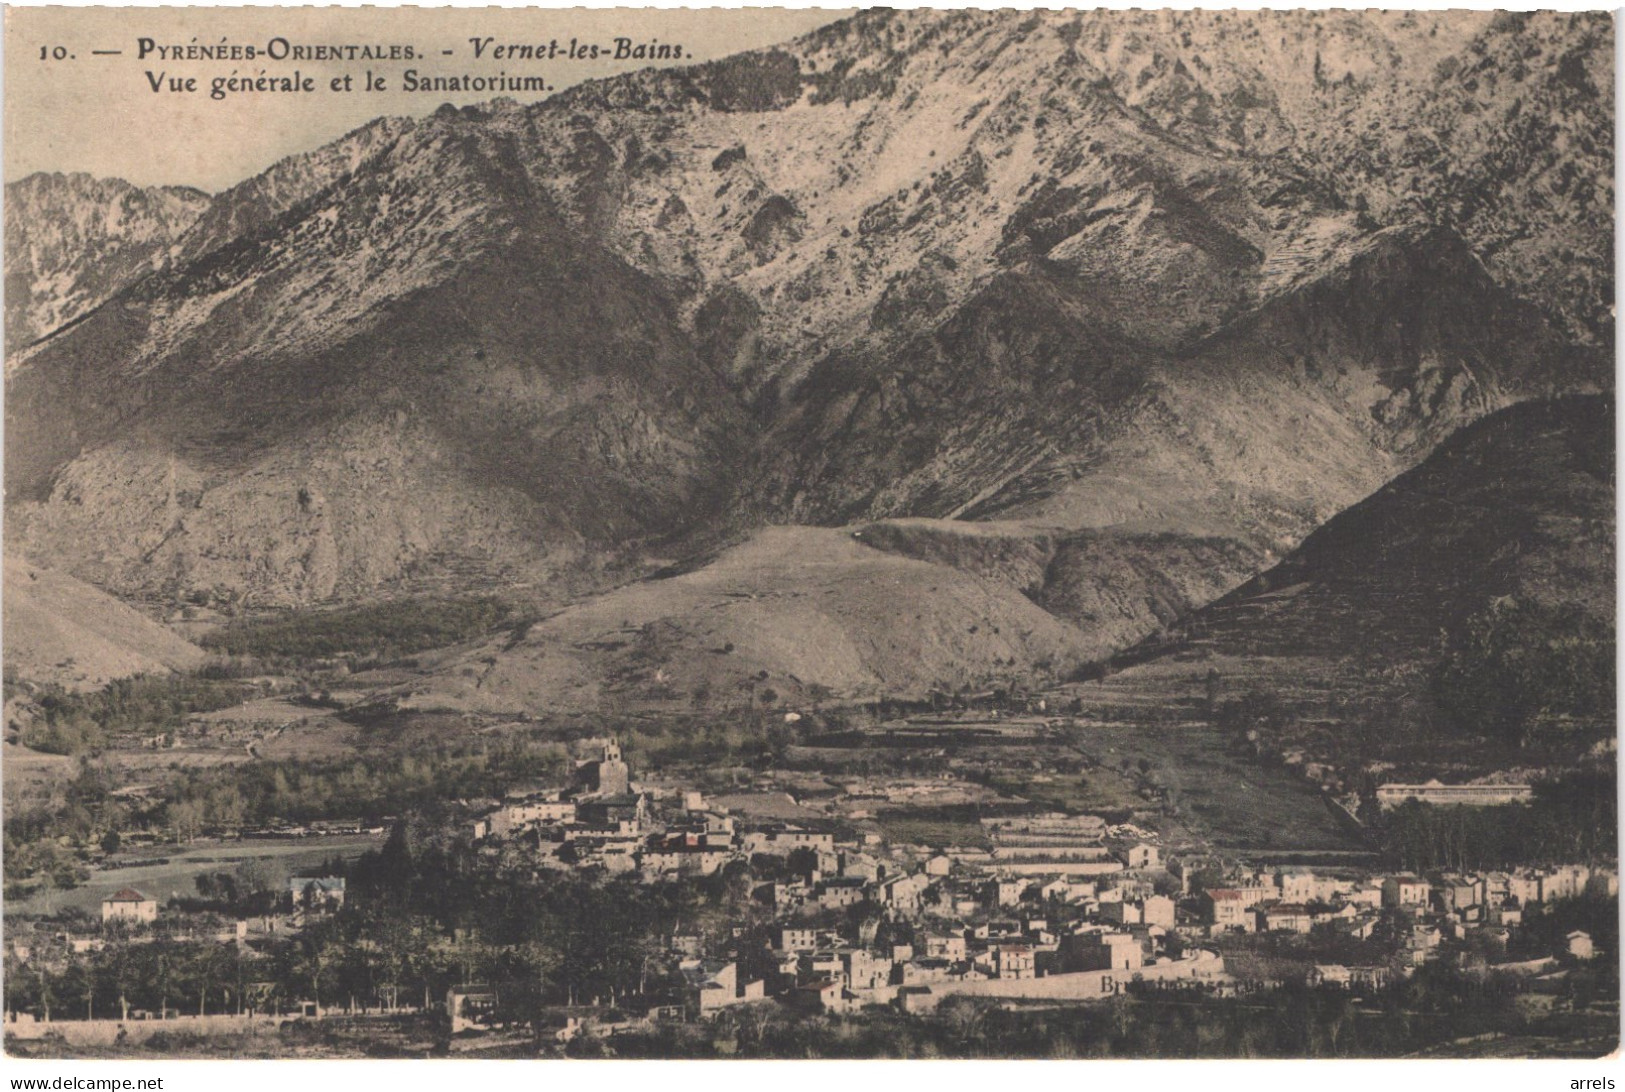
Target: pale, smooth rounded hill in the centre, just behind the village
{"points": [[797, 613]]}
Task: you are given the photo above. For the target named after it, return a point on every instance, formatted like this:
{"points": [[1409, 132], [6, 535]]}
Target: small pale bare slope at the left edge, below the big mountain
{"points": [[59, 630]]}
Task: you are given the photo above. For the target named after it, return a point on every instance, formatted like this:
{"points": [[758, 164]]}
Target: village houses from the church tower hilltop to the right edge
{"points": [[1047, 906]]}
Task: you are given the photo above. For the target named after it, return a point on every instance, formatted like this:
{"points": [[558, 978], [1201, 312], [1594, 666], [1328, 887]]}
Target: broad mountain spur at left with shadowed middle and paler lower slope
{"points": [[303, 414]]}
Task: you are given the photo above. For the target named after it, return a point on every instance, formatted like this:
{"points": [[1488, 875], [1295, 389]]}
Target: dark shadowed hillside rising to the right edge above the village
{"points": [[1520, 505]]}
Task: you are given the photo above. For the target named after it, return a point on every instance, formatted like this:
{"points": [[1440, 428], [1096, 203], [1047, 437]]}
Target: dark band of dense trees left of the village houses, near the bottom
{"points": [[539, 943]]}
